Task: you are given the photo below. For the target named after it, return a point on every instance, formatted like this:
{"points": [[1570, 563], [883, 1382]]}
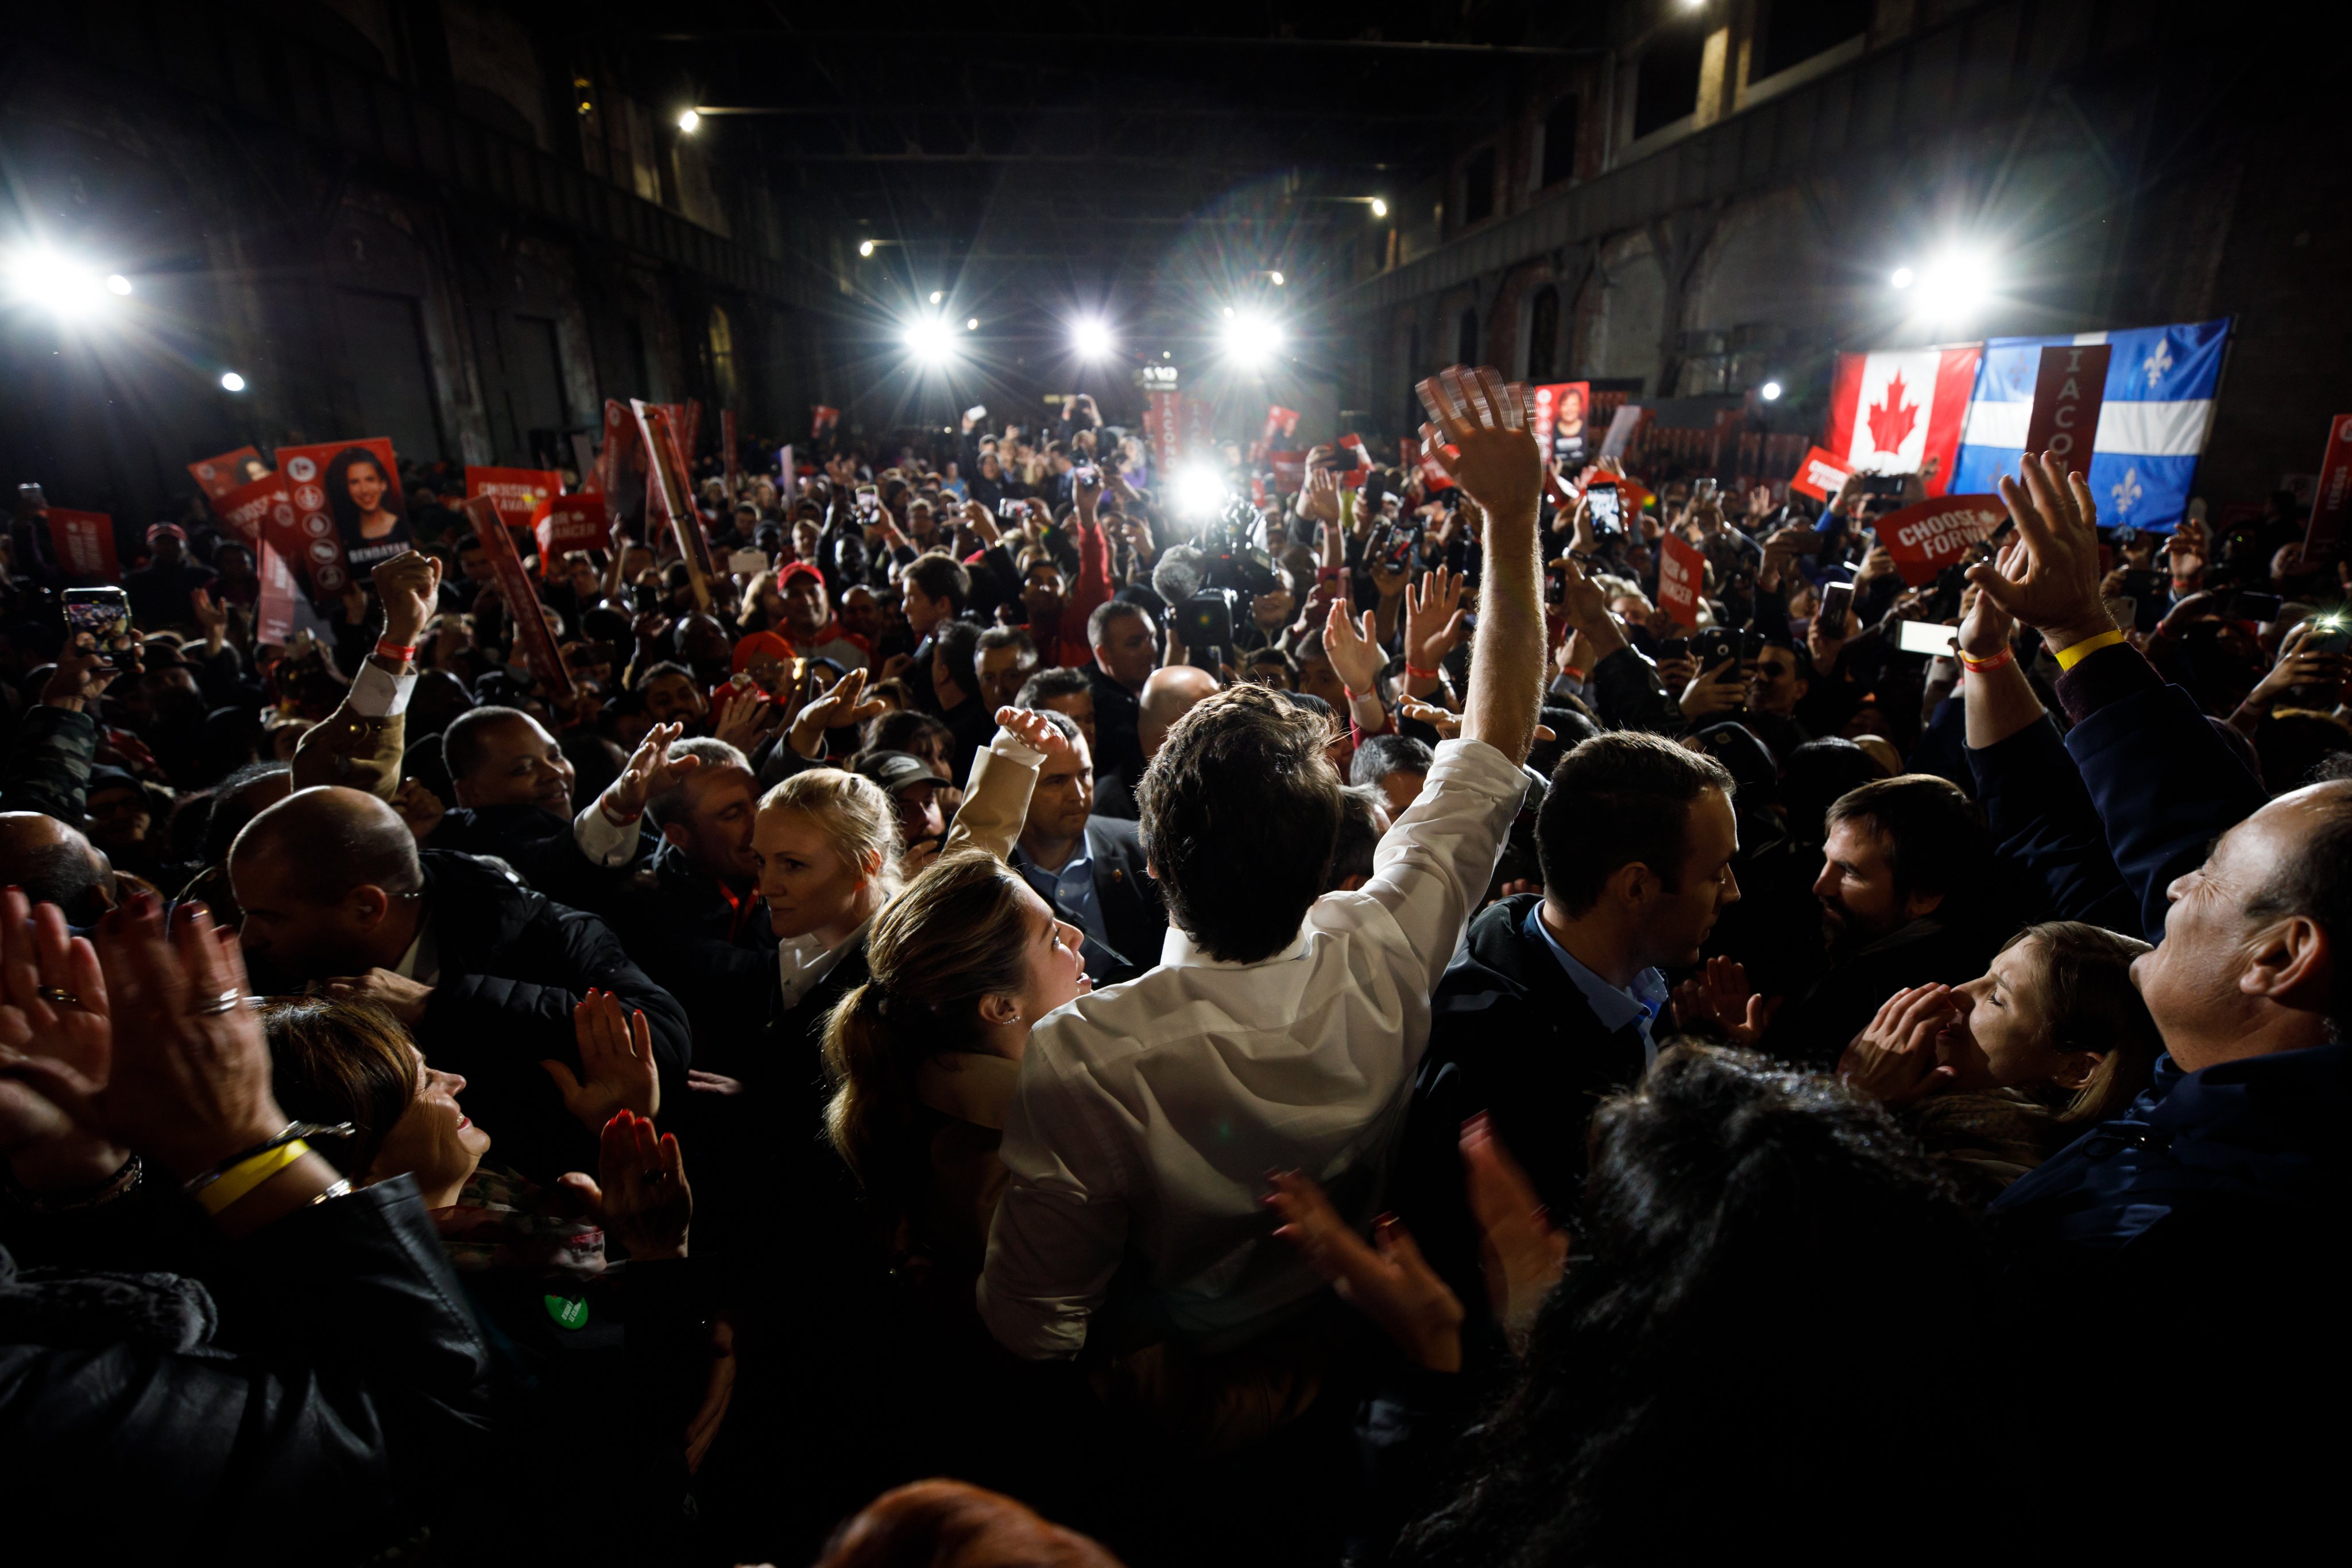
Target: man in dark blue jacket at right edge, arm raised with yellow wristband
{"points": [[2198, 1235]]}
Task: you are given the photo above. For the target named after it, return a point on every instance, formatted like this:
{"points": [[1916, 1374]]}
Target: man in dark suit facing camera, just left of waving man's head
{"points": [[1088, 866]]}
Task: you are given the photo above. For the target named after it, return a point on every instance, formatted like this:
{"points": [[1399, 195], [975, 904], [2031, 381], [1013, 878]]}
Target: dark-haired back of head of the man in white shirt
{"points": [[1241, 815]]}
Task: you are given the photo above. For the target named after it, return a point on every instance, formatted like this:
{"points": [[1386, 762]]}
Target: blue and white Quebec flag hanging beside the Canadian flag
{"points": [[2151, 429]]}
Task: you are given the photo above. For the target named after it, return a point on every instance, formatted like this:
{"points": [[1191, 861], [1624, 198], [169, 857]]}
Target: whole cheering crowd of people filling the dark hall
{"points": [[1005, 1024]]}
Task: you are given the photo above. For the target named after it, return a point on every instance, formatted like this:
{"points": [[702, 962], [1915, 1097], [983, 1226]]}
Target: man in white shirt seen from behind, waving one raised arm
{"points": [[1281, 1028]]}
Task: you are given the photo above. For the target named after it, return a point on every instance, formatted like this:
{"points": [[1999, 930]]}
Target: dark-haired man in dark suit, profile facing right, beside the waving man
{"points": [[1556, 1000]]}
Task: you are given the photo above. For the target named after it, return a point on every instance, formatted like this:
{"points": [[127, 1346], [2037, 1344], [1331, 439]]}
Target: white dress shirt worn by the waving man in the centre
{"points": [[1149, 1113]]}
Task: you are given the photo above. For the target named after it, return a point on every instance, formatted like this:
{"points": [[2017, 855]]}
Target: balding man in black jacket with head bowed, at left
{"points": [[481, 970]]}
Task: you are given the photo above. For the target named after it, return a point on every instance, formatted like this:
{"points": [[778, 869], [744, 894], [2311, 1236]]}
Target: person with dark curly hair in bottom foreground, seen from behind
{"points": [[1735, 1217]]}
